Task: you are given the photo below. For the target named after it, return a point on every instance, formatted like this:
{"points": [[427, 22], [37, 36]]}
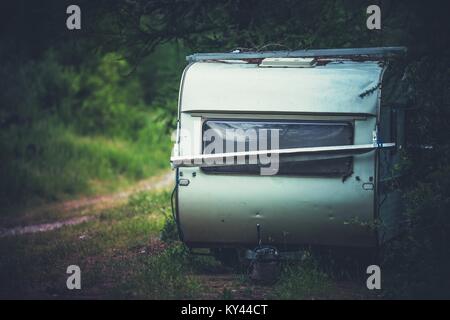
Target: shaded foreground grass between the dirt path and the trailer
{"points": [[119, 254]]}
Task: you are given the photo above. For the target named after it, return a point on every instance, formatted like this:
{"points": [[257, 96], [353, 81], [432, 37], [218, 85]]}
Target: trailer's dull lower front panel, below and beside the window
{"points": [[292, 210]]}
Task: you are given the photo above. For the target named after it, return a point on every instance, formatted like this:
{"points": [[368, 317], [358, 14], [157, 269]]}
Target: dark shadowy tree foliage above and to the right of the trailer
{"points": [[419, 261]]}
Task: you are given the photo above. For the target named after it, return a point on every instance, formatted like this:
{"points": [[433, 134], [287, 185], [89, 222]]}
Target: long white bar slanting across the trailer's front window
{"points": [[299, 154]]}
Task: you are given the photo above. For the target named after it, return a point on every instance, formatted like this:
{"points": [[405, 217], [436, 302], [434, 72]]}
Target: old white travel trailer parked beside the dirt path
{"points": [[335, 149]]}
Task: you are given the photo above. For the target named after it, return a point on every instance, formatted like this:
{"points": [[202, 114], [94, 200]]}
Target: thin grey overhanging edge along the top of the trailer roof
{"points": [[375, 51]]}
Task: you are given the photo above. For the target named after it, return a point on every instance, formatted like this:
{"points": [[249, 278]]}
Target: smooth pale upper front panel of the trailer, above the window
{"points": [[341, 87]]}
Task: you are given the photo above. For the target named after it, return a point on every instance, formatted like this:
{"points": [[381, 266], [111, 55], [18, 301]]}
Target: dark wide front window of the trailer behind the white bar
{"points": [[292, 134]]}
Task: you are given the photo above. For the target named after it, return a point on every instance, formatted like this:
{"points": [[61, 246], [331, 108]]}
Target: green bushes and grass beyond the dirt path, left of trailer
{"points": [[81, 129]]}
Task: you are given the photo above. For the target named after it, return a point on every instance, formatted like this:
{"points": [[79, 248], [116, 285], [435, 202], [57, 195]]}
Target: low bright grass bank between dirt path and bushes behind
{"points": [[50, 163]]}
